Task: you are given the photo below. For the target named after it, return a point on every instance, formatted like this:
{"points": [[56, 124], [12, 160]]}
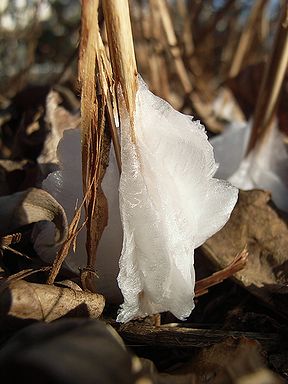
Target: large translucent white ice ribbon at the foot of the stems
{"points": [[170, 203]]}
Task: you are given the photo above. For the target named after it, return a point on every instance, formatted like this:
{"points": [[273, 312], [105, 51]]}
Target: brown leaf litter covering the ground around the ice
{"points": [[242, 320]]}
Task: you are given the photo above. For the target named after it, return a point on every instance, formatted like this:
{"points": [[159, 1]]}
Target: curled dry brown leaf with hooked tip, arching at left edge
{"points": [[30, 206]]}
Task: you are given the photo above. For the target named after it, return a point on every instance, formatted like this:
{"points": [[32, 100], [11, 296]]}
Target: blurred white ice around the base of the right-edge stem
{"points": [[266, 166]]}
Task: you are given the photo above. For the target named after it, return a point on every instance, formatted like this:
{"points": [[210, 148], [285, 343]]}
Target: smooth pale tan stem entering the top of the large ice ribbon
{"points": [[122, 55]]}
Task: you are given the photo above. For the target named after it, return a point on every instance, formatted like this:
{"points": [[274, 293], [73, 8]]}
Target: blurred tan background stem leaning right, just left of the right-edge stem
{"points": [[246, 37]]}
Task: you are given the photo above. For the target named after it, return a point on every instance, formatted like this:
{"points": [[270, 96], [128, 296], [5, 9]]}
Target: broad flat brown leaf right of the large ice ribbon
{"points": [[256, 223]]}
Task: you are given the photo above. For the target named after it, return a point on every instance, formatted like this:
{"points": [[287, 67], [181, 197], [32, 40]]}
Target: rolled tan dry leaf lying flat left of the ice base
{"points": [[20, 299]]}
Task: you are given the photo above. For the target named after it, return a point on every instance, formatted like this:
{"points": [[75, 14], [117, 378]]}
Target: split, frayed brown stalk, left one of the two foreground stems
{"points": [[96, 100]]}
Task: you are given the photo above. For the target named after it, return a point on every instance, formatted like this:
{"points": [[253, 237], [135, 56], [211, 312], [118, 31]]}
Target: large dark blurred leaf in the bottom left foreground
{"points": [[69, 351]]}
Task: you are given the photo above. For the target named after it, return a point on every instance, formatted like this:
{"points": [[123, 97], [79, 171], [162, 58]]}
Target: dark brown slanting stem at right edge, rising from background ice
{"points": [[271, 84]]}
